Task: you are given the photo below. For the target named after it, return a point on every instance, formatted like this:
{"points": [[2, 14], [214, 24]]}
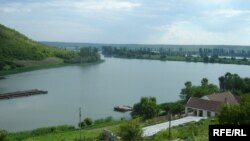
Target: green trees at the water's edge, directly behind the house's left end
{"points": [[197, 91]]}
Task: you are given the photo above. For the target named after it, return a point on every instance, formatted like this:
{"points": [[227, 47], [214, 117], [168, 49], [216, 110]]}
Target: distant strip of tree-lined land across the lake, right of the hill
{"points": [[205, 55]]}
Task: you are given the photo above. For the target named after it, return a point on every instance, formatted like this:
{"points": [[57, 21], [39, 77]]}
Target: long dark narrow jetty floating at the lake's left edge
{"points": [[21, 94]]}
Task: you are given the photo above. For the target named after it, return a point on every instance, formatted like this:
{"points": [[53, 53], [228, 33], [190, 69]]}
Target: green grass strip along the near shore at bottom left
{"points": [[68, 133]]}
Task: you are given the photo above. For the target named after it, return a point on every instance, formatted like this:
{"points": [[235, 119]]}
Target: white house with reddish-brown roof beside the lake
{"points": [[209, 105]]}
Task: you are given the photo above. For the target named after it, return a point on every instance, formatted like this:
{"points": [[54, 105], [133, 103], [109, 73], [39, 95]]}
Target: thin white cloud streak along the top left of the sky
{"points": [[71, 5]]}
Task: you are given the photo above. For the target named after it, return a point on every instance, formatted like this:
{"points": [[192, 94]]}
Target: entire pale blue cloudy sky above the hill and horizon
{"points": [[216, 22]]}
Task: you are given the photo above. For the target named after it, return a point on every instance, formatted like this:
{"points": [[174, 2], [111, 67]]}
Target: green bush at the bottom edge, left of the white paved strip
{"points": [[131, 131]]}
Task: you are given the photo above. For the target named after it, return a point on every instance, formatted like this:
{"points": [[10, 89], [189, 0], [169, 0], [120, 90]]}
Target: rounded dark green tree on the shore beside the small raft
{"points": [[147, 108]]}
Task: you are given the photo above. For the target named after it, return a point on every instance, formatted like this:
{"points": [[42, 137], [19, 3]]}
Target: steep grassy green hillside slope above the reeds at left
{"points": [[16, 46]]}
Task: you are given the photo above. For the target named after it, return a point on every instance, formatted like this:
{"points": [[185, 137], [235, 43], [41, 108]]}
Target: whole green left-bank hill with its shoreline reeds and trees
{"points": [[18, 53]]}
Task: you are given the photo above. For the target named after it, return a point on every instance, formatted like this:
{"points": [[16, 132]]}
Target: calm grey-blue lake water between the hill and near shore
{"points": [[98, 88]]}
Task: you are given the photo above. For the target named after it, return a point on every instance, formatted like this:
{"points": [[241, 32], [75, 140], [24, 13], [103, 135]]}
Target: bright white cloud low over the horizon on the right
{"points": [[189, 33]]}
